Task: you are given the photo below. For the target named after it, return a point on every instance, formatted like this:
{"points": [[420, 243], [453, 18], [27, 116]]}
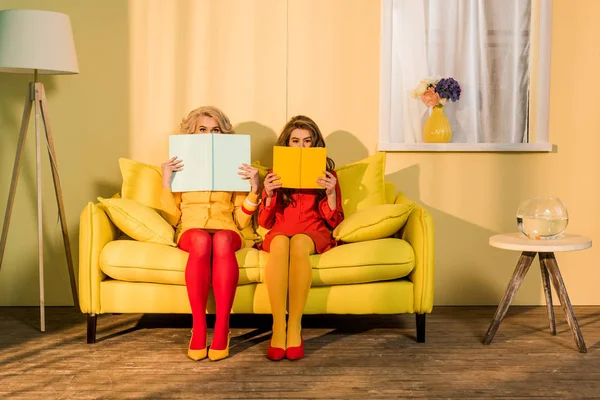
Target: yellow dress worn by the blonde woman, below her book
{"points": [[208, 210]]}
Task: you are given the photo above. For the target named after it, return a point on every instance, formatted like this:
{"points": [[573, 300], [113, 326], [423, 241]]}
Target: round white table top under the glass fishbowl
{"points": [[520, 242]]}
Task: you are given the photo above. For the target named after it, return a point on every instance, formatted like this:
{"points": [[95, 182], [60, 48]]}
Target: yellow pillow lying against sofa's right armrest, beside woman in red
{"points": [[372, 223]]}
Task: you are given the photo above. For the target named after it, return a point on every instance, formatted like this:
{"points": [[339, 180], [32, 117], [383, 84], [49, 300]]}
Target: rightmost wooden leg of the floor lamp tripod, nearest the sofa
{"points": [[58, 191]]}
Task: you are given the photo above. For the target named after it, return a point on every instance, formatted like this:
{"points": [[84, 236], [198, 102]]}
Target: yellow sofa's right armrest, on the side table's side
{"points": [[419, 233]]}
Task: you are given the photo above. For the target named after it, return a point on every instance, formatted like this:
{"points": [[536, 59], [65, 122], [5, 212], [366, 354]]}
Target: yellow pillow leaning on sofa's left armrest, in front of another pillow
{"points": [[138, 221]]}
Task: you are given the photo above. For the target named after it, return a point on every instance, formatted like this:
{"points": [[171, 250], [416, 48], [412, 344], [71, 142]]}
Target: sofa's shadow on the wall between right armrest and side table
{"points": [[464, 261]]}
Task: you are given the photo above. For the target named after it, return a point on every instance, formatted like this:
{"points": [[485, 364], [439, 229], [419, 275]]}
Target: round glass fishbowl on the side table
{"points": [[542, 217]]}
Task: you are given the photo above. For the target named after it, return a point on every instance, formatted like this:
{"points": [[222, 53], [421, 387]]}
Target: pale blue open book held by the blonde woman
{"points": [[210, 162]]}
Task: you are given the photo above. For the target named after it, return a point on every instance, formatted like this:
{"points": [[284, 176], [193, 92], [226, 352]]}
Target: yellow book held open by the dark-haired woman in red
{"points": [[299, 167]]}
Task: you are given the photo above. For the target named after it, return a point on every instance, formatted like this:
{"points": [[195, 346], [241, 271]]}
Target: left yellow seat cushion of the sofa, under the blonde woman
{"points": [[133, 261]]}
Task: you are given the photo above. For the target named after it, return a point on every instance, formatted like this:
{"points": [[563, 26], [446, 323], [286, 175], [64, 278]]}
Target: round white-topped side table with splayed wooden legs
{"points": [[549, 267]]}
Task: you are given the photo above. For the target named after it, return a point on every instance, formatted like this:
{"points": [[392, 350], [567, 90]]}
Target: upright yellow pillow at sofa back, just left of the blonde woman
{"points": [[141, 182]]}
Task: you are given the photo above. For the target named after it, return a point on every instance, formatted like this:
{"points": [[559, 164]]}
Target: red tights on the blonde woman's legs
{"points": [[225, 273]]}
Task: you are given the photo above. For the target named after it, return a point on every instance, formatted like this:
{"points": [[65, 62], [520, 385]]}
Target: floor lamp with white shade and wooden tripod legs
{"points": [[38, 42]]}
